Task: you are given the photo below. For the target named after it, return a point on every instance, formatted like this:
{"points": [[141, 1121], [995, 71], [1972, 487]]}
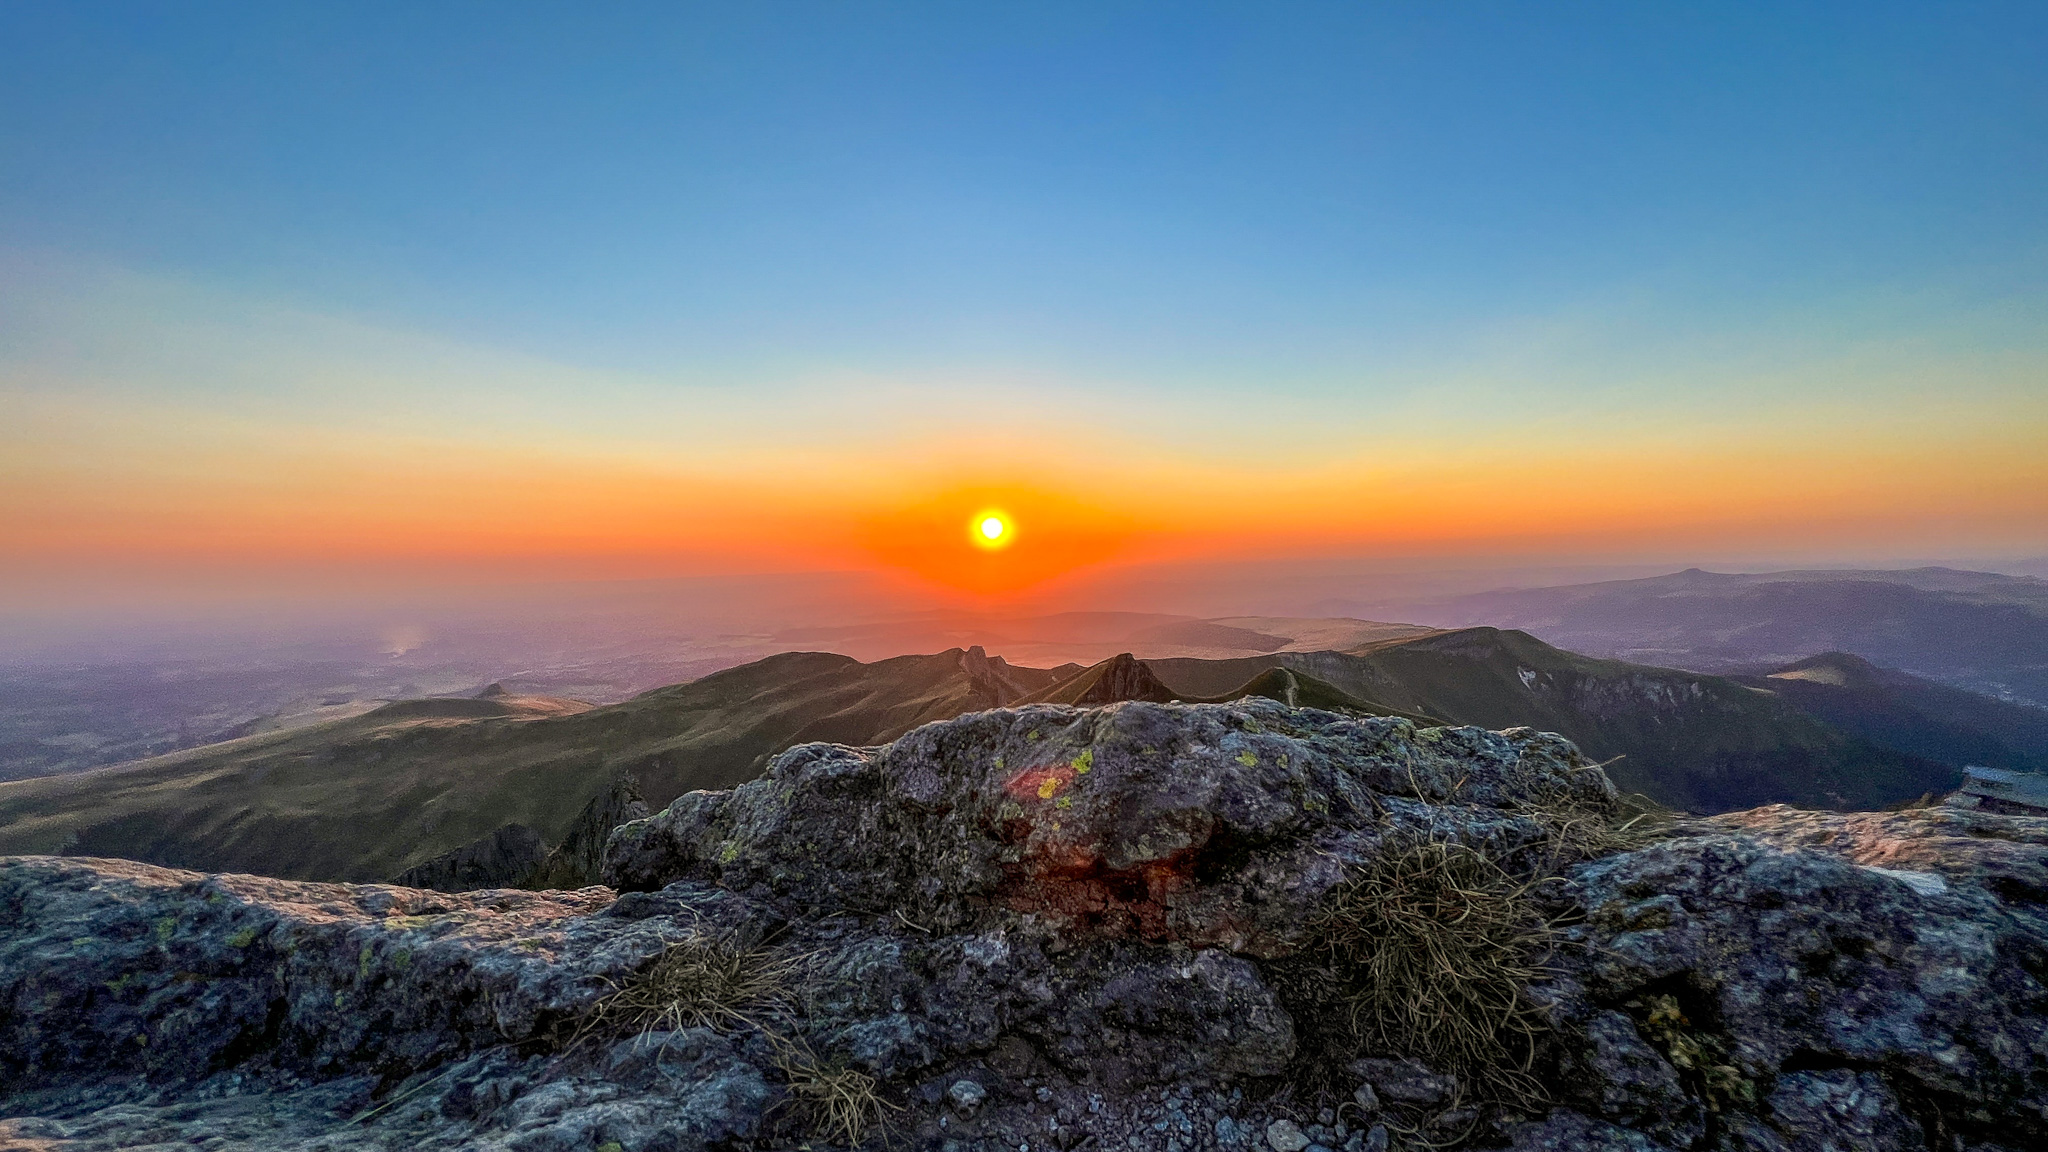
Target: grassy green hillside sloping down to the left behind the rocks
{"points": [[370, 796]]}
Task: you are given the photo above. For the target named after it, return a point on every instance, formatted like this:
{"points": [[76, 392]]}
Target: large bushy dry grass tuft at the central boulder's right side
{"points": [[1435, 946]]}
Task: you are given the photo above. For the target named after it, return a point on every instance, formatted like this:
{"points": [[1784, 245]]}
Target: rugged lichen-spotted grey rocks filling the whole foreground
{"points": [[1152, 928]]}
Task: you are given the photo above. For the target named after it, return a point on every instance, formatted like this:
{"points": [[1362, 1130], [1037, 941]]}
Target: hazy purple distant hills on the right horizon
{"points": [[1971, 630]]}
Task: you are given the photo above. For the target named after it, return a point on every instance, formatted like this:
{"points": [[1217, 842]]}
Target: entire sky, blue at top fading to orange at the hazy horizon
{"points": [[544, 292]]}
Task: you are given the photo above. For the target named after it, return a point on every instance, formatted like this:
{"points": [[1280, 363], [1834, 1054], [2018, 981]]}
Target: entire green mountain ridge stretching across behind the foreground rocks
{"points": [[409, 784]]}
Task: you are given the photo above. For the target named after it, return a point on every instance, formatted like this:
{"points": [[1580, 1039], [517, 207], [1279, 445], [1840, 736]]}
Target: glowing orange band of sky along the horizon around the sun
{"points": [[132, 495]]}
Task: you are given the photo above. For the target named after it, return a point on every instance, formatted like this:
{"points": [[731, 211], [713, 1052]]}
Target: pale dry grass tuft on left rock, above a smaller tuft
{"points": [[701, 981]]}
